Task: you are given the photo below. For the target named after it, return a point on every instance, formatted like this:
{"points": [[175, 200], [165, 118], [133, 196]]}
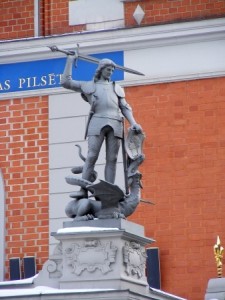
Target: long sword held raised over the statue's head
{"points": [[92, 59]]}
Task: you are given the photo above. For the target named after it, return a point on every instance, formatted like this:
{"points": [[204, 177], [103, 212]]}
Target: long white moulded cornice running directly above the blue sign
{"points": [[113, 40]]}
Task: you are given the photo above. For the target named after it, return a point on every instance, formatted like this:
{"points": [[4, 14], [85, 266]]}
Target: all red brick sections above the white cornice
{"points": [[17, 16]]}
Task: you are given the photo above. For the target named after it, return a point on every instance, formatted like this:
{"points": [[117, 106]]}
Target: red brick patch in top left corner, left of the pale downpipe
{"points": [[17, 19]]}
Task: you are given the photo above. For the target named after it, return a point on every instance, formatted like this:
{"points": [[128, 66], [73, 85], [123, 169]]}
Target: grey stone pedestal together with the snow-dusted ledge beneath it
{"points": [[99, 259]]}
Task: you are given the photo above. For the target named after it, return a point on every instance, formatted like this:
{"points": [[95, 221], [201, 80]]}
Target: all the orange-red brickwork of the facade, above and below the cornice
{"points": [[185, 152]]}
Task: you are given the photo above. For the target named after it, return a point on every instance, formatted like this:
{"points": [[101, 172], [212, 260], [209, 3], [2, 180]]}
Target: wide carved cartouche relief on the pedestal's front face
{"points": [[91, 255]]}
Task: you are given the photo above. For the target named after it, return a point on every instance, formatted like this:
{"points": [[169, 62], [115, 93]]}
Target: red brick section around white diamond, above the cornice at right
{"points": [[171, 11]]}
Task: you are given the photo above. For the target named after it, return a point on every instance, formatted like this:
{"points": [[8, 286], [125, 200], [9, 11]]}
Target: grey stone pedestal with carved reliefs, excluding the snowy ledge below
{"points": [[108, 254]]}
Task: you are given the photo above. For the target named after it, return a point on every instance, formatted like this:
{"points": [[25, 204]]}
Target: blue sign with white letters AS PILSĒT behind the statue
{"points": [[45, 74]]}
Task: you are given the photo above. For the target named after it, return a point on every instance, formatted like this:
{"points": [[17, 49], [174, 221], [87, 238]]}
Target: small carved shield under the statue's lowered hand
{"points": [[134, 143]]}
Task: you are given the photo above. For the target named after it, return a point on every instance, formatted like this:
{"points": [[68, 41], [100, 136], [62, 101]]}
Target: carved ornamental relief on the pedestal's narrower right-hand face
{"points": [[134, 258]]}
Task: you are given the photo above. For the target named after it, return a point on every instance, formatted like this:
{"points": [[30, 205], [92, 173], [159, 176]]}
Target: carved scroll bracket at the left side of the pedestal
{"points": [[54, 264]]}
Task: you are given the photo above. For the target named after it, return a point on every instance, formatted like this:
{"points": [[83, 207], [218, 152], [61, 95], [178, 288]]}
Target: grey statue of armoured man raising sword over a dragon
{"points": [[105, 123]]}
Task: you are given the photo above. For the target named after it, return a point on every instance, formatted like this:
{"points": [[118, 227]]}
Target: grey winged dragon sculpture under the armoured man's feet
{"points": [[106, 200]]}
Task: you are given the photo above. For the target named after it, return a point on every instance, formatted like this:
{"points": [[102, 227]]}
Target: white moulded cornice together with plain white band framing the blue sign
{"points": [[165, 53]]}
